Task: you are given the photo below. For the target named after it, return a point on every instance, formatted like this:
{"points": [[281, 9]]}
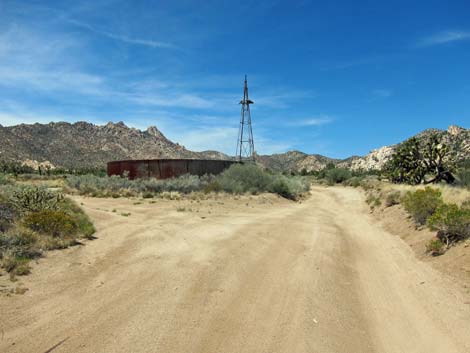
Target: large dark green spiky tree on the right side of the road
{"points": [[416, 160]]}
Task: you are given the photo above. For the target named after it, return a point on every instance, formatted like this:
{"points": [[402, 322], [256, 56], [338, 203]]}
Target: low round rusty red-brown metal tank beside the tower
{"points": [[166, 168]]}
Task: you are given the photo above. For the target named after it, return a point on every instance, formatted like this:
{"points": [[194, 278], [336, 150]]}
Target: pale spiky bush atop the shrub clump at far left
{"points": [[34, 199]]}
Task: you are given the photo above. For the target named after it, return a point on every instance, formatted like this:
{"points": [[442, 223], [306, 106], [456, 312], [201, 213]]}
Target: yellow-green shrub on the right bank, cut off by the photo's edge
{"points": [[452, 222]]}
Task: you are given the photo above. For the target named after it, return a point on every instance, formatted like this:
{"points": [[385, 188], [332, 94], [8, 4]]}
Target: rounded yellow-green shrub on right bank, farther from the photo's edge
{"points": [[421, 204]]}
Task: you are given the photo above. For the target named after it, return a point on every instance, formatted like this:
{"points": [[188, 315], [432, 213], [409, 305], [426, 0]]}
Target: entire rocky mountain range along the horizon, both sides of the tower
{"points": [[84, 144]]}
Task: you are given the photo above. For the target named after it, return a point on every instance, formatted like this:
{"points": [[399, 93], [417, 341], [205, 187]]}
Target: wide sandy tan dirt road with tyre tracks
{"points": [[247, 275]]}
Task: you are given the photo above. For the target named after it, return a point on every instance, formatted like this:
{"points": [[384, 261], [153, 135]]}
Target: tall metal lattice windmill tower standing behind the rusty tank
{"points": [[245, 144]]}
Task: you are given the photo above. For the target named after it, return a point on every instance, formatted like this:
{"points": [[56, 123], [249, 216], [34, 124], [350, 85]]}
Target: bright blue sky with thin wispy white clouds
{"points": [[337, 78]]}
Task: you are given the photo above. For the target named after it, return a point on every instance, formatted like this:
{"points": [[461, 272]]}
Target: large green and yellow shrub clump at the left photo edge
{"points": [[33, 219]]}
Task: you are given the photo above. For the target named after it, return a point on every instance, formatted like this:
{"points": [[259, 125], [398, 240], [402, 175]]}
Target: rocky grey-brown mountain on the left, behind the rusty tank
{"points": [[87, 145]]}
